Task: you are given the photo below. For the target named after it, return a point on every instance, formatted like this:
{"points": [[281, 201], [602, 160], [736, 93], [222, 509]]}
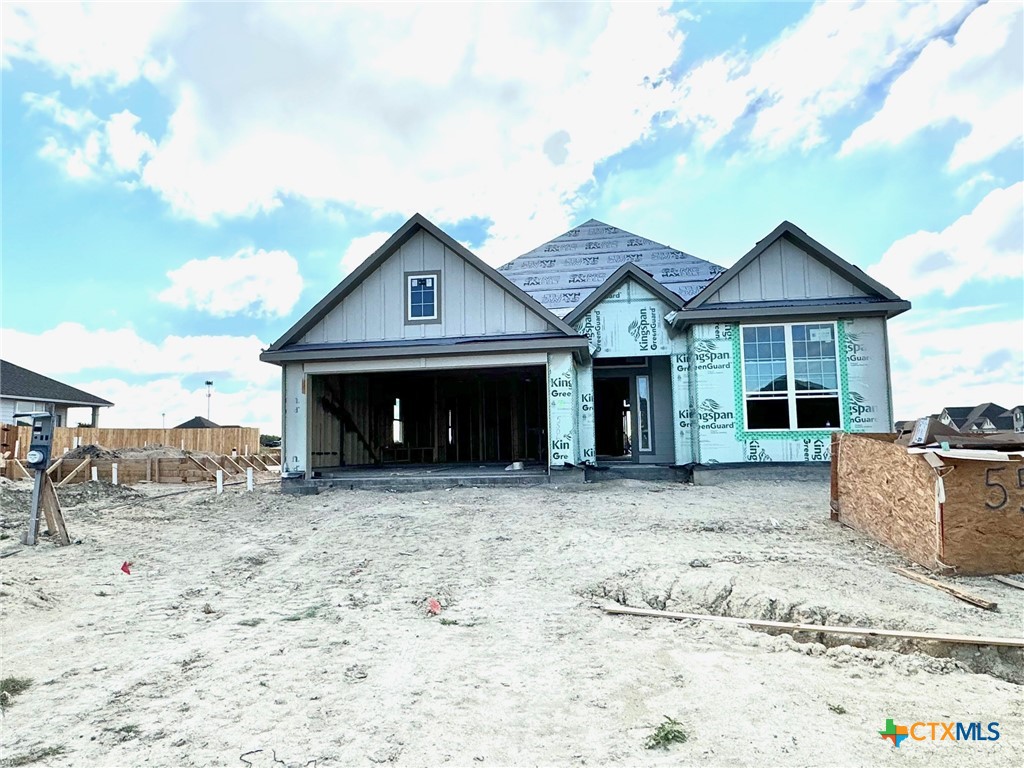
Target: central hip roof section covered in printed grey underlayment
{"points": [[566, 271]]}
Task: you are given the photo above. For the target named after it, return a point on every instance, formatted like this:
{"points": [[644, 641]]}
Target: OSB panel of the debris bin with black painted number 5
{"points": [[984, 526]]}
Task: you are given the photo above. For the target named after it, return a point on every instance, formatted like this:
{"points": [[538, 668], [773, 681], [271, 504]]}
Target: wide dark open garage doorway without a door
{"points": [[449, 417]]}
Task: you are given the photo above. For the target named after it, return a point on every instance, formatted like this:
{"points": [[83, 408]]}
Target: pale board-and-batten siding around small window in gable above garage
{"points": [[472, 304]]}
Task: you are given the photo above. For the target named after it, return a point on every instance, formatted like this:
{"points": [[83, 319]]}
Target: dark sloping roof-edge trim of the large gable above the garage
{"points": [[415, 225]]}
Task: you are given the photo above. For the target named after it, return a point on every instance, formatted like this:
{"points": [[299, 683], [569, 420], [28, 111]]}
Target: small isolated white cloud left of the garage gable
{"points": [[254, 283]]}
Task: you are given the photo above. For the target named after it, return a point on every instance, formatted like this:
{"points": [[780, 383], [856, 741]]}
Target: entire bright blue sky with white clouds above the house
{"points": [[183, 182]]}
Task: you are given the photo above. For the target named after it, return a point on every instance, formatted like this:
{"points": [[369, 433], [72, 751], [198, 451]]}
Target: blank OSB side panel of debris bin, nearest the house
{"points": [[888, 494]]}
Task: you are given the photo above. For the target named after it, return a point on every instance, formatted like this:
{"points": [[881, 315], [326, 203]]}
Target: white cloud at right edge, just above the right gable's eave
{"points": [[986, 245]]}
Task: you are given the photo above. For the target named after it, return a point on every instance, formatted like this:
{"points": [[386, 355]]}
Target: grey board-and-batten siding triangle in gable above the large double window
{"points": [[785, 271]]}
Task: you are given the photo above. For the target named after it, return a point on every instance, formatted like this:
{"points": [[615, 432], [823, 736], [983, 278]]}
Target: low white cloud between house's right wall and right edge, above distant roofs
{"points": [[963, 365]]}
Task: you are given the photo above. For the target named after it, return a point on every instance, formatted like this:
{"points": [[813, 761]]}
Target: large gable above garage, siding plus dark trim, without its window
{"points": [[371, 306]]}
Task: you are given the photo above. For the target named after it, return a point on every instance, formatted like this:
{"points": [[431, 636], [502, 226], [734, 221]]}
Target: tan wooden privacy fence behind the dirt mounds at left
{"points": [[215, 441]]}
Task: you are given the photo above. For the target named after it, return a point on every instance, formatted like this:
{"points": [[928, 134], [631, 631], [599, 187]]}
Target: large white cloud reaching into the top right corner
{"points": [[974, 81]]}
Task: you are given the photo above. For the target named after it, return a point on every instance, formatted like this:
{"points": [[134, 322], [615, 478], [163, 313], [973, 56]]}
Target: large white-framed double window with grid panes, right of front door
{"points": [[791, 376]]}
